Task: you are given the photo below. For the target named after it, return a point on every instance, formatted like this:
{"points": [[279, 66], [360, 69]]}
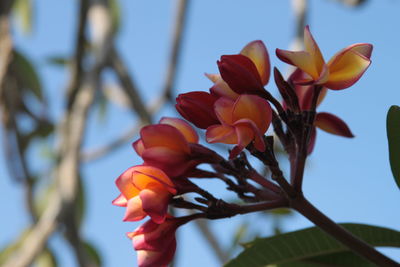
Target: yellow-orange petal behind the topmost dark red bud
{"points": [[258, 53]]}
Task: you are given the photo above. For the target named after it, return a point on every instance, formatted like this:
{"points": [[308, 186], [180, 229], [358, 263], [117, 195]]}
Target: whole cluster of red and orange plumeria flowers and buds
{"points": [[235, 111]]}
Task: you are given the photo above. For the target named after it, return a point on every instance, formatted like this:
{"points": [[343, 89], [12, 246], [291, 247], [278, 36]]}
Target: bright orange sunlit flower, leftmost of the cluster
{"points": [[145, 190]]}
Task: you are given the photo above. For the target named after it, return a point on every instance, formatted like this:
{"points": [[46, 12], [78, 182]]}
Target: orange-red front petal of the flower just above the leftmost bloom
{"points": [[163, 135]]}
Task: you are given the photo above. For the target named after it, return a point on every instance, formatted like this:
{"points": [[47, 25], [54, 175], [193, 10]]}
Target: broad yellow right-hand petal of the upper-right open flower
{"points": [[346, 68]]}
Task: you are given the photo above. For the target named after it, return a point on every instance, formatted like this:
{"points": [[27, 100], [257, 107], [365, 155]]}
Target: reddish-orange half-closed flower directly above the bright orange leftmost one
{"points": [[172, 146]]}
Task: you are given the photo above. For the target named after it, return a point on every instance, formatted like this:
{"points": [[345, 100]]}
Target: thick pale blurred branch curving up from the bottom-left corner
{"points": [[71, 133]]}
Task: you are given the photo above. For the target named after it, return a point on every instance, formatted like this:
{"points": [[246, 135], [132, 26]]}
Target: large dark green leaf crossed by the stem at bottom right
{"points": [[309, 244]]}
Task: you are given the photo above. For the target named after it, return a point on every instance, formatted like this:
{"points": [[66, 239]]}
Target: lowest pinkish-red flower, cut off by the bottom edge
{"points": [[155, 243]]}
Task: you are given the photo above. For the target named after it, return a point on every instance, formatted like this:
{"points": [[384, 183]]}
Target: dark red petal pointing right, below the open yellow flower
{"points": [[332, 124]]}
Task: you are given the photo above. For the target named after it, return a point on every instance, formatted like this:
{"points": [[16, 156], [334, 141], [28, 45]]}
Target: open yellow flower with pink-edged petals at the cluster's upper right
{"points": [[340, 72]]}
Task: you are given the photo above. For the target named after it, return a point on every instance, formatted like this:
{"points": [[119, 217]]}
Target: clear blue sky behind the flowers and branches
{"points": [[348, 179]]}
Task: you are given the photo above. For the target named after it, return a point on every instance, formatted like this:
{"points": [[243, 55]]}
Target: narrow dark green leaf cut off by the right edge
{"points": [[393, 133]]}
